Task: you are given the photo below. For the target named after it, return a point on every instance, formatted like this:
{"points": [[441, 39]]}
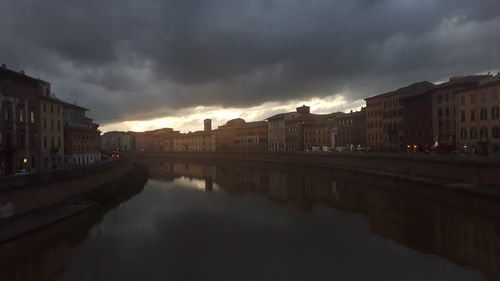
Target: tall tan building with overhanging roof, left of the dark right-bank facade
{"points": [[385, 120]]}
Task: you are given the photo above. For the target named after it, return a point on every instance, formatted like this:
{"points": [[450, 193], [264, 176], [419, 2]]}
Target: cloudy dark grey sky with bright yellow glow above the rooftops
{"points": [[146, 64]]}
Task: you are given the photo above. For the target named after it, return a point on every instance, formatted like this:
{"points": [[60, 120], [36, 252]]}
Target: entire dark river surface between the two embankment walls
{"points": [[257, 222]]}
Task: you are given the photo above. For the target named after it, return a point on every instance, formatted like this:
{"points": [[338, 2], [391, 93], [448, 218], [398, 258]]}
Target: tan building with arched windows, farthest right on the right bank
{"points": [[478, 121]]}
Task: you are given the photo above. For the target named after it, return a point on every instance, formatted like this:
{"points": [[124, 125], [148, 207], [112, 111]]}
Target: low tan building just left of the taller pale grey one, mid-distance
{"points": [[252, 136]]}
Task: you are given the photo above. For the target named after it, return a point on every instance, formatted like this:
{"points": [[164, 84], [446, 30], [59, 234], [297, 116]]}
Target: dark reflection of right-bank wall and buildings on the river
{"points": [[459, 227]]}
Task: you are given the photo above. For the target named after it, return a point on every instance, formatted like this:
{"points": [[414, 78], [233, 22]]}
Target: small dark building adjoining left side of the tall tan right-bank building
{"points": [[351, 129]]}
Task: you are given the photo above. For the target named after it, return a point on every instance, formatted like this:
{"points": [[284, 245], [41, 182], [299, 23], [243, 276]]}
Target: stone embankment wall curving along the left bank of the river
{"points": [[22, 194]]}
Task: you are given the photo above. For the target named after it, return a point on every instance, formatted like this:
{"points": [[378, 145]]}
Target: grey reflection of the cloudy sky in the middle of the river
{"points": [[171, 232]]}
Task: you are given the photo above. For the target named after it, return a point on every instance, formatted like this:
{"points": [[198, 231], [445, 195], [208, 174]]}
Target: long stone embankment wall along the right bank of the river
{"points": [[481, 171]]}
